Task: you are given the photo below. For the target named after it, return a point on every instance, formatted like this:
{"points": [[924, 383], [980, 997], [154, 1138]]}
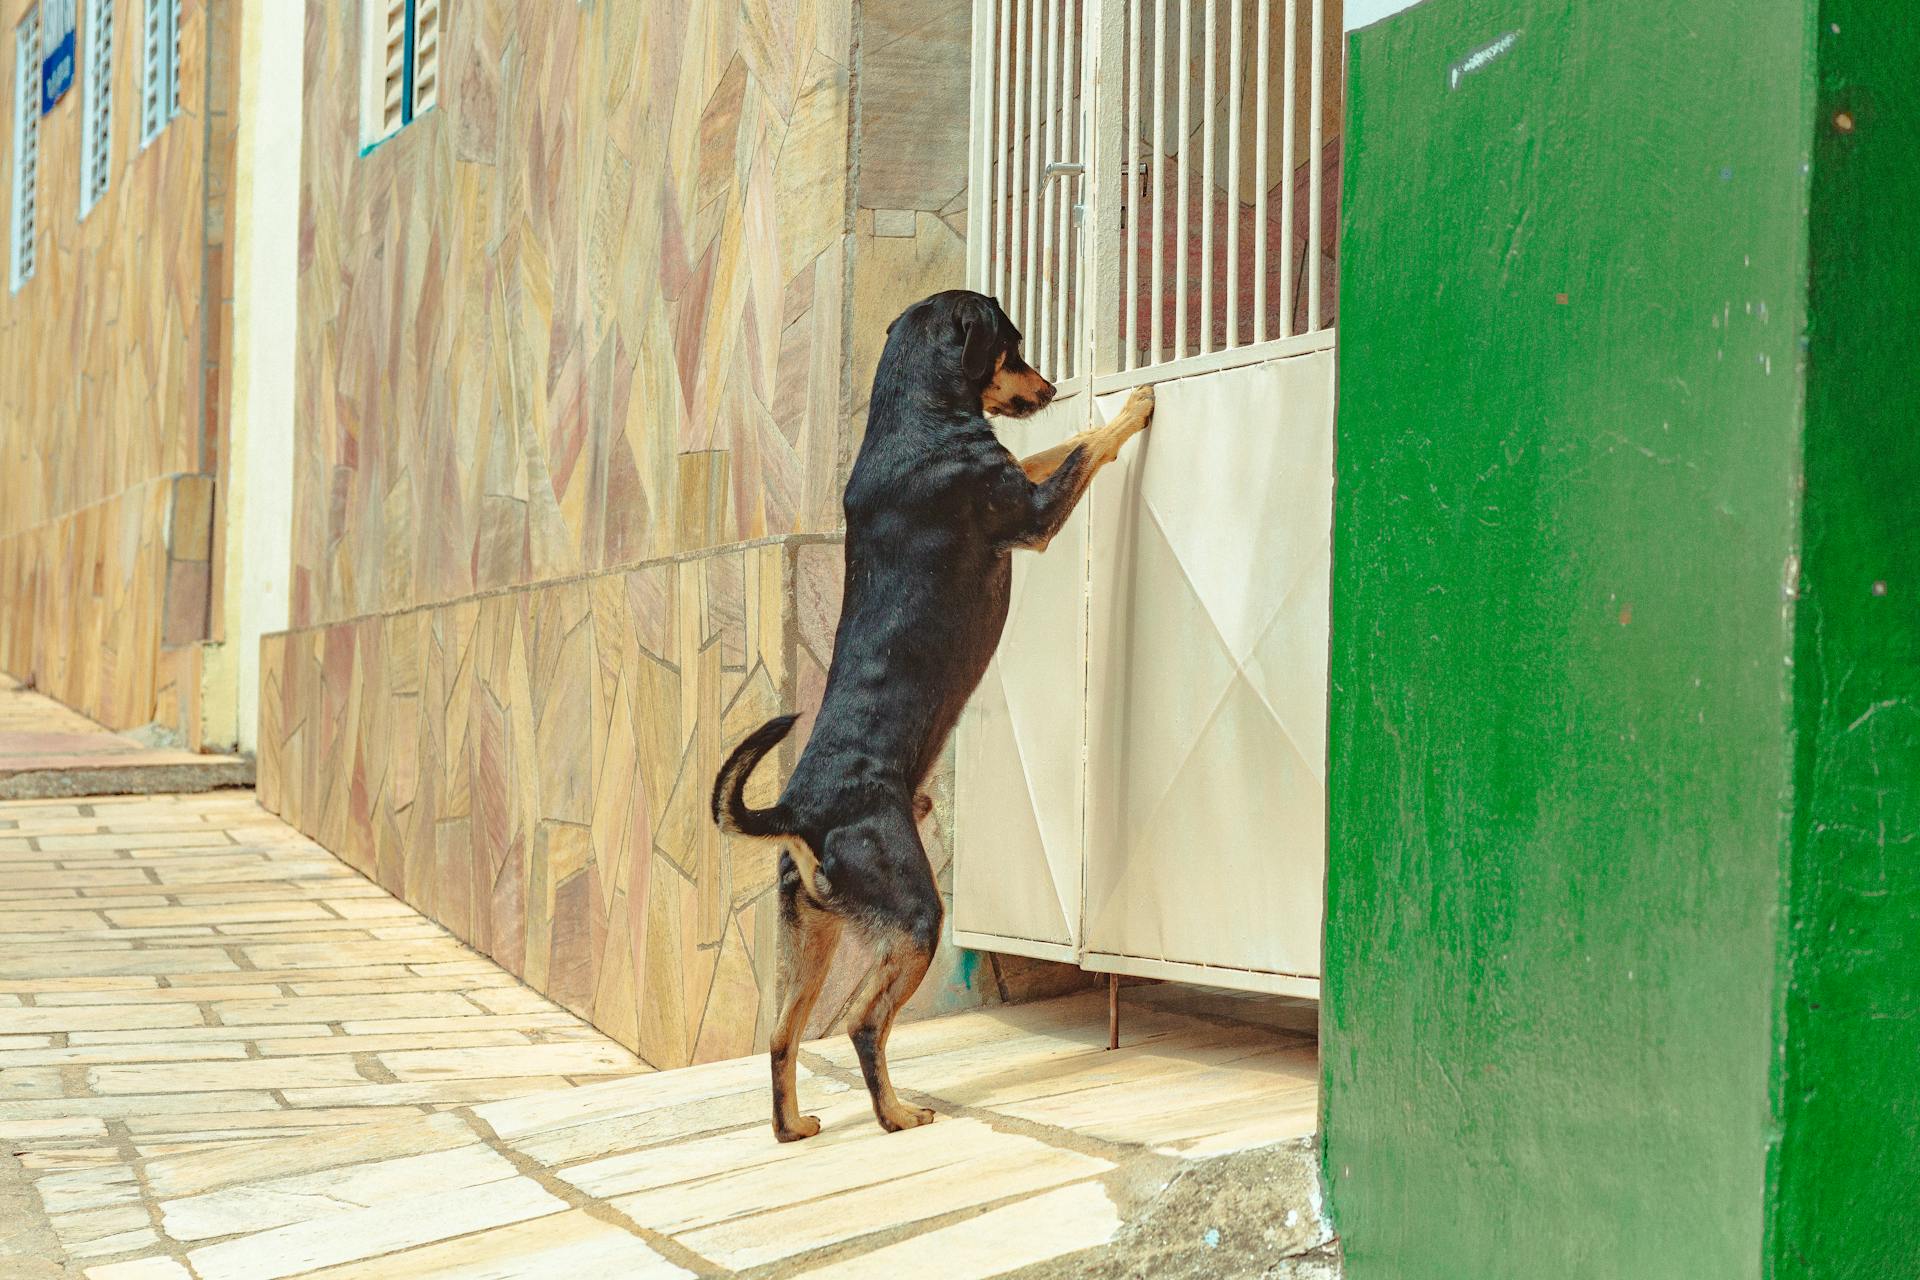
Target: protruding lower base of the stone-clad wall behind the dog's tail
{"points": [[533, 770]]}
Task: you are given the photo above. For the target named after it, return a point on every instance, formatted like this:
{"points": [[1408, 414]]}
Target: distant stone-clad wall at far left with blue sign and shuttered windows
{"points": [[112, 391]]}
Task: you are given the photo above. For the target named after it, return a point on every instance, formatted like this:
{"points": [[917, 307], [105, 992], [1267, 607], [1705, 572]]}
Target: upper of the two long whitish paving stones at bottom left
{"points": [[302, 1198]]}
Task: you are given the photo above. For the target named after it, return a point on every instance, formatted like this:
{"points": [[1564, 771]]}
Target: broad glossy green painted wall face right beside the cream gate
{"points": [[1562, 757]]}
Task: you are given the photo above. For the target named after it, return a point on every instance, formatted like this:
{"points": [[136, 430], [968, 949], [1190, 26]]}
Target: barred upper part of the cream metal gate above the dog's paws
{"points": [[1068, 210]]}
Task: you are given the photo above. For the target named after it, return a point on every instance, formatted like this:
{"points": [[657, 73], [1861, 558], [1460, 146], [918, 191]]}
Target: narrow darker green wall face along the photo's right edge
{"points": [[1848, 1173]]}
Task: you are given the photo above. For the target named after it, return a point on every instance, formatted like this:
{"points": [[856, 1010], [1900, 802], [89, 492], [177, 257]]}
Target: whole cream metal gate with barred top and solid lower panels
{"points": [[1141, 774]]}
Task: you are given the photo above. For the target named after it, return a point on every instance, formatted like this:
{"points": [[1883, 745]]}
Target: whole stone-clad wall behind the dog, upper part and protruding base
{"points": [[583, 364]]}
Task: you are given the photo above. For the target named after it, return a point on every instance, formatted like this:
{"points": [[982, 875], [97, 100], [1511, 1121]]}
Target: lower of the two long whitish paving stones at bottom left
{"points": [[370, 1233]]}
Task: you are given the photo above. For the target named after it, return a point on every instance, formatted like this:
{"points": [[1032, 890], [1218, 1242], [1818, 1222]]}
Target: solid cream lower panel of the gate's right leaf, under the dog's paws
{"points": [[1207, 736]]}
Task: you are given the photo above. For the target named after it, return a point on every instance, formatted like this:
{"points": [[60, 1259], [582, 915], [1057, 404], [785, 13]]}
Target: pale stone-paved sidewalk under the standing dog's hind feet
{"points": [[224, 1055]]}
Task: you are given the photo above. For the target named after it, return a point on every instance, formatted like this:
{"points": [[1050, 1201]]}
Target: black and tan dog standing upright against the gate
{"points": [[936, 508]]}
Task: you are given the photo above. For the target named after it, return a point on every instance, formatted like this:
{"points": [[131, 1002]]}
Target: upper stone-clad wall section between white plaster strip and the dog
{"points": [[581, 316]]}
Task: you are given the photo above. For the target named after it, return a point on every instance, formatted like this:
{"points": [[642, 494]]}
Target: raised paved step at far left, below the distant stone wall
{"points": [[51, 751]]}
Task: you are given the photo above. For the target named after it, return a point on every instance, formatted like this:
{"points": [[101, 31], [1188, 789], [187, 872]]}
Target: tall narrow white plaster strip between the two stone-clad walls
{"points": [[260, 504]]}
